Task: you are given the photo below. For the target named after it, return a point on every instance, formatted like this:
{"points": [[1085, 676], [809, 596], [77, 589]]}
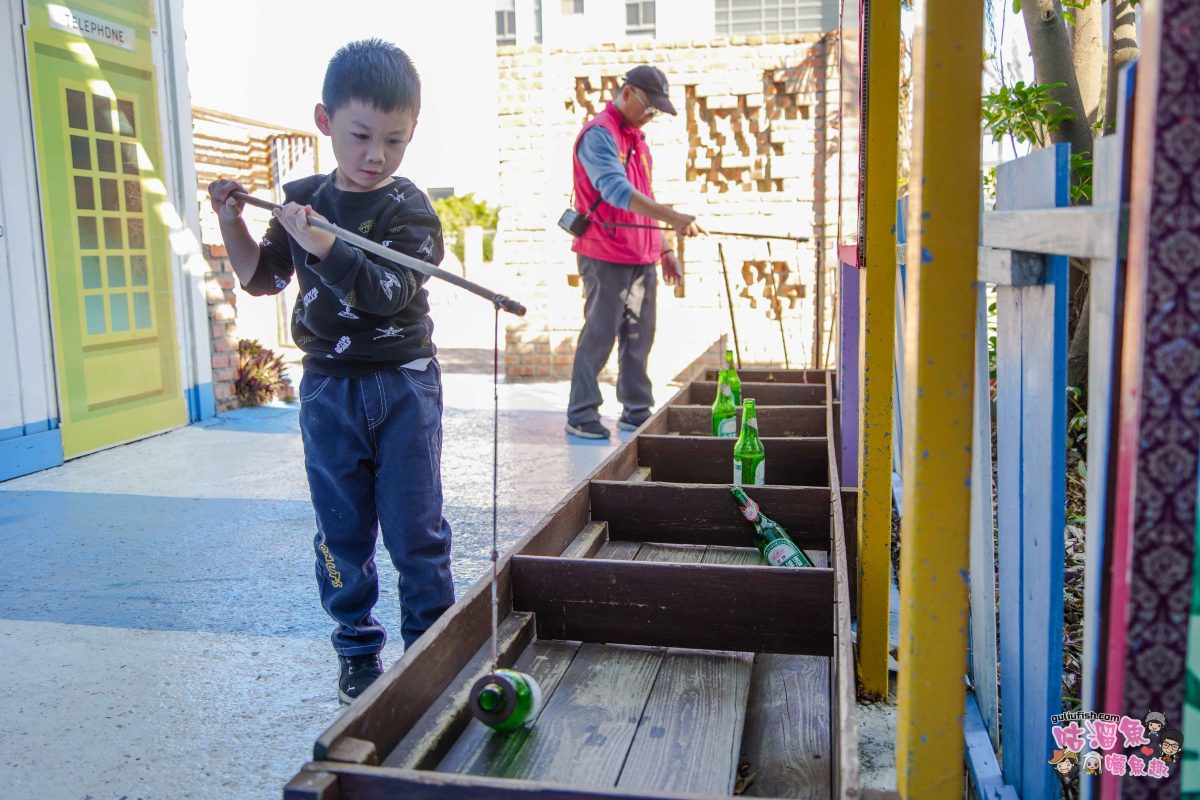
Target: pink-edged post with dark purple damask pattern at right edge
{"points": [[1154, 516]]}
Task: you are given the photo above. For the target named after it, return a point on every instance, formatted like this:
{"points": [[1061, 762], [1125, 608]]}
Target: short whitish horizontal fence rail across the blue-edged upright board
{"points": [[1079, 232]]}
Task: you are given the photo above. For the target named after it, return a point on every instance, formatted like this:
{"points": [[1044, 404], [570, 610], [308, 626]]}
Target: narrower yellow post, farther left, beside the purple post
{"points": [[879, 342]]}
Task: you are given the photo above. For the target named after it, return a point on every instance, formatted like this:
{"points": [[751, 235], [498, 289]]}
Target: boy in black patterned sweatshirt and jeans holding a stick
{"points": [[371, 394]]}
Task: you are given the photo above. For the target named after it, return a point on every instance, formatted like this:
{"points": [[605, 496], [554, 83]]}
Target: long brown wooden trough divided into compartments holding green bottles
{"points": [[657, 574]]}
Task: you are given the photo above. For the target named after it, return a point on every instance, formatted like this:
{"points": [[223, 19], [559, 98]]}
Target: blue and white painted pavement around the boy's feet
{"points": [[161, 633]]}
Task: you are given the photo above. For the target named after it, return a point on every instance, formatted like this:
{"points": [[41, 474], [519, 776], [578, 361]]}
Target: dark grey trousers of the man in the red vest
{"points": [[620, 306]]}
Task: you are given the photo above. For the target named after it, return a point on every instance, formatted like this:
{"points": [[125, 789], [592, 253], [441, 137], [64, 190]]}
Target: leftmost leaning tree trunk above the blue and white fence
{"points": [[1053, 63]]}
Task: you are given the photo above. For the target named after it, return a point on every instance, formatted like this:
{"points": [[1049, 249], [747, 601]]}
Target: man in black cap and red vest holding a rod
{"points": [[613, 188]]}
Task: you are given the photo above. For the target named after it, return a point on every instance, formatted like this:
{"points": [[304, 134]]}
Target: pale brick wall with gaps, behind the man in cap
{"points": [[754, 149]]}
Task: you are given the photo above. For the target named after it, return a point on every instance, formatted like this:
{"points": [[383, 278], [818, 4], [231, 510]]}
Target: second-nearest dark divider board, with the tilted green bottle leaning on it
{"points": [[706, 514]]}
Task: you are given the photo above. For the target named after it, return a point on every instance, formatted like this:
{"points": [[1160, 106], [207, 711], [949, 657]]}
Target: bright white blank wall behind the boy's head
{"points": [[267, 59]]}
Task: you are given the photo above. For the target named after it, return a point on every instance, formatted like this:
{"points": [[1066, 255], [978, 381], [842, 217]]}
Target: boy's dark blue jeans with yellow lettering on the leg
{"points": [[373, 450]]}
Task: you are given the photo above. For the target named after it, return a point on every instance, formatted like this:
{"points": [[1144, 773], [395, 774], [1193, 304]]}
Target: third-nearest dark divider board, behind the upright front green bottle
{"points": [[705, 460]]}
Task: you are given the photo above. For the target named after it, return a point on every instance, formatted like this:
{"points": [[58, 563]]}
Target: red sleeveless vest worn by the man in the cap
{"points": [[604, 243]]}
